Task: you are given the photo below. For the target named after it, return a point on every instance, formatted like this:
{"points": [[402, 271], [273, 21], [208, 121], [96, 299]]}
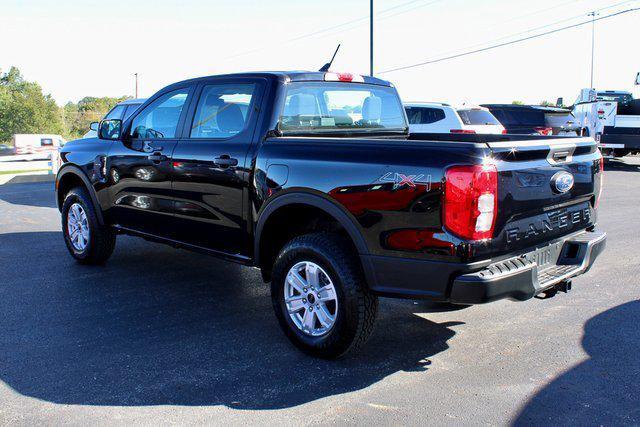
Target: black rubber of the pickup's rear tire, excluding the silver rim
{"points": [[356, 309]]}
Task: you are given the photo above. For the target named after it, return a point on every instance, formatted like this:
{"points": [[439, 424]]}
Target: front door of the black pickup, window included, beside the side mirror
{"points": [[139, 167]]}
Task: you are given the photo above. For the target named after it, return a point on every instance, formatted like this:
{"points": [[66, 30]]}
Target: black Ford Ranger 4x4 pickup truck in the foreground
{"points": [[314, 178]]}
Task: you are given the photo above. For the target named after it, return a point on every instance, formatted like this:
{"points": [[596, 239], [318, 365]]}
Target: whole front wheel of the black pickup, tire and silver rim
{"points": [[87, 241]]}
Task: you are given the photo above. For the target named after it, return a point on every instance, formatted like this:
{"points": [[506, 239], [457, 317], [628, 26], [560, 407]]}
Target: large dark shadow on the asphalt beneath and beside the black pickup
{"points": [[157, 326]]}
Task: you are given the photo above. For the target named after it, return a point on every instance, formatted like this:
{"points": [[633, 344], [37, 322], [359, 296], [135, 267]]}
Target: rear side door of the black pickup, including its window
{"points": [[211, 169]]}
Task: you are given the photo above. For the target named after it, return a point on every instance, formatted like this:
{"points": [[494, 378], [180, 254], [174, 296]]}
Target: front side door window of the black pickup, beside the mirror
{"points": [[160, 119]]}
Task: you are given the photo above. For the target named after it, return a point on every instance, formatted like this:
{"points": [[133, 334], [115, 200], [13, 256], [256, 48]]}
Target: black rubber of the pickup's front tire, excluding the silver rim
{"points": [[102, 239]]}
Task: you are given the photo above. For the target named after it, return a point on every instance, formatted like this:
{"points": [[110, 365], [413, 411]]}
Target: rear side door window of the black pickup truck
{"points": [[222, 110]]}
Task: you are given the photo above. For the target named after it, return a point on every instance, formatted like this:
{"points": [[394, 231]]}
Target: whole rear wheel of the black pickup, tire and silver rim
{"points": [[319, 296]]}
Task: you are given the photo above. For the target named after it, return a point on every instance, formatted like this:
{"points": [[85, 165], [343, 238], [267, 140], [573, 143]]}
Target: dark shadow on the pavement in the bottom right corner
{"points": [[605, 389]]}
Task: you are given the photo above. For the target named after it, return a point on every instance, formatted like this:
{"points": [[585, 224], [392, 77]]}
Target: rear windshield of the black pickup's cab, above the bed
{"points": [[321, 107]]}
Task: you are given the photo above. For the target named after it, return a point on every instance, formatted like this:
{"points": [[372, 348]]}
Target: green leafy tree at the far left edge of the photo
{"points": [[25, 109]]}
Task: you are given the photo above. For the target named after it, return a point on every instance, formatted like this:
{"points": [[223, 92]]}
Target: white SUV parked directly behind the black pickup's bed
{"points": [[431, 117]]}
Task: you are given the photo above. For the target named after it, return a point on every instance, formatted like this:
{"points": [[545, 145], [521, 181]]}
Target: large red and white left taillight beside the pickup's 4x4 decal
{"points": [[471, 201]]}
